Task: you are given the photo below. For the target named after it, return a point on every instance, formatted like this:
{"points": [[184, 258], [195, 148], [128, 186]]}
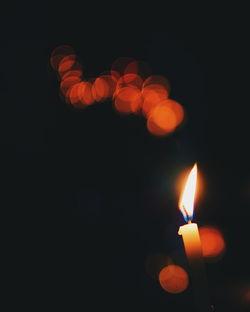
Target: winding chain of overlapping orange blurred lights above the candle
{"points": [[128, 84]]}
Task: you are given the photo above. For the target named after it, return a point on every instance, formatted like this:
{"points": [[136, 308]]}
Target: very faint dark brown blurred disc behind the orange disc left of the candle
{"points": [[155, 263]]}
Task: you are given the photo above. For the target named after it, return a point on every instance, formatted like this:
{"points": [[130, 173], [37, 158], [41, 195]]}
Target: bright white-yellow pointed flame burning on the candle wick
{"points": [[186, 203]]}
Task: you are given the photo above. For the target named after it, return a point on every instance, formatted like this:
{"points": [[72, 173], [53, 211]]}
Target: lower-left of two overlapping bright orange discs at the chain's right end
{"points": [[162, 120]]}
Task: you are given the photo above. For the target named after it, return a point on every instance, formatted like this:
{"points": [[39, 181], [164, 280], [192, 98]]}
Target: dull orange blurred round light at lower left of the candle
{"points": [[173, 279]]}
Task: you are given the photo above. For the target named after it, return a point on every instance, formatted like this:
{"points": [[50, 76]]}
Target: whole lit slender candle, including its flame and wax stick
{"points": [[192, 244]]}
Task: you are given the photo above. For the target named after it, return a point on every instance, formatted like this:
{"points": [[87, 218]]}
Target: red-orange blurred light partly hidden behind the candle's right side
{"points": [[212, 241]]}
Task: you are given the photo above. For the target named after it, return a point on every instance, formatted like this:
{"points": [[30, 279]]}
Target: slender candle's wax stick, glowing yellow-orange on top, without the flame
{"points": [[192, 244]]}
